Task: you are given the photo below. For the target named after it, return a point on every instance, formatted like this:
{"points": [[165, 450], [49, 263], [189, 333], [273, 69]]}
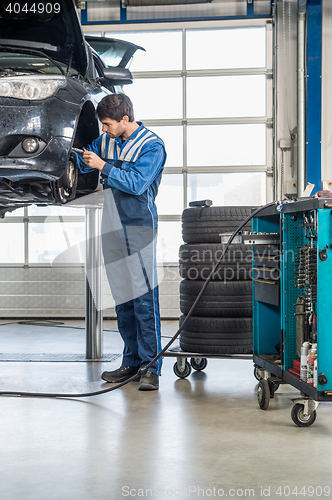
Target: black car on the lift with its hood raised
{"points": [[51, 80]]}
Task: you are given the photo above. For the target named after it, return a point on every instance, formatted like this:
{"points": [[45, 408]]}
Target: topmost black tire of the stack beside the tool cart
{"points": [[204, 225]]}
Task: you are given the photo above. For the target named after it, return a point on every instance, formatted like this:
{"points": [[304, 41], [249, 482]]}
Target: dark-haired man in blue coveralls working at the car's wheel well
{"points": [[131, 159]]}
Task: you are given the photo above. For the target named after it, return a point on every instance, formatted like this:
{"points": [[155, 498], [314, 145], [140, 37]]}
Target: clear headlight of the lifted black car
{"points": [[30, 87]]}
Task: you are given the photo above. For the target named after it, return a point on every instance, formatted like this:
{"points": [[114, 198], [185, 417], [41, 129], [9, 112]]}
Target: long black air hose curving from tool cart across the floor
{"points": [[144, 369]]}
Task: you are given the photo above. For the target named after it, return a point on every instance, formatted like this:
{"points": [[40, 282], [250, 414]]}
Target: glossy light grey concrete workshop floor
{"points": [[200, 437]]}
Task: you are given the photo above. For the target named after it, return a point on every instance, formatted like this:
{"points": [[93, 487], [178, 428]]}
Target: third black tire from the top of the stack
{"points": [[220, 299]]}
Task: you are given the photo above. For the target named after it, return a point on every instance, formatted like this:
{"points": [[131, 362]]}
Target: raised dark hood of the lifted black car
{"points": [[58, 35]]}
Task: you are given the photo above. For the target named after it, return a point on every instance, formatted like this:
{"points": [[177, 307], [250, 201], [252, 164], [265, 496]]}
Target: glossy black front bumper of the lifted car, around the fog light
{"points": [[51, 121]]}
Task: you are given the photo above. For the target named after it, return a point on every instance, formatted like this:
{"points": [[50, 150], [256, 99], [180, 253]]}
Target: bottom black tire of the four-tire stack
{"points": [[216, 335]]}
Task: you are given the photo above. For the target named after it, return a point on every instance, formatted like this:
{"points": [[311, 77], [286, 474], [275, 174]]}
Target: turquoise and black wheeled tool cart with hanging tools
{"points": [[292, 303]]}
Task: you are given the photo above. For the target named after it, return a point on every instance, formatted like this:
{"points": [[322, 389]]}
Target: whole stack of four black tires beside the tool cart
{"points": [[222, 320]]}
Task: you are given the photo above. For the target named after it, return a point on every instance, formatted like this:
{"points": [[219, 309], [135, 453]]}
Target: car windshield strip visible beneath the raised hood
{"points": [[30, 63]]}
